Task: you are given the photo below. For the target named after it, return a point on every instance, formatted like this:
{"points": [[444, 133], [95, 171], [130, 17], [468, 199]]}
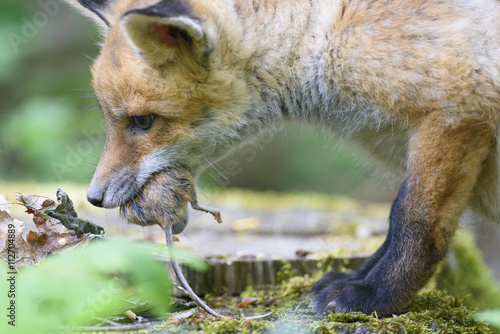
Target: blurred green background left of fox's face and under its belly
{"points": [[52, 130]]}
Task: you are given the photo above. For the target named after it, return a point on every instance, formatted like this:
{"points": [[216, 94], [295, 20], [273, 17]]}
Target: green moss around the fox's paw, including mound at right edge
{"points": [[431, 311]]}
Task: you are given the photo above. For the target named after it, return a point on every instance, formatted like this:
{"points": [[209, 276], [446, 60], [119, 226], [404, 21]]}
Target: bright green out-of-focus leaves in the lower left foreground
{"points": [[73, 288]]}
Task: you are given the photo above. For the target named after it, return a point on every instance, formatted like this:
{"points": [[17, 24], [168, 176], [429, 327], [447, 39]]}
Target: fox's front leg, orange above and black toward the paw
{"points": [[445, 159]]}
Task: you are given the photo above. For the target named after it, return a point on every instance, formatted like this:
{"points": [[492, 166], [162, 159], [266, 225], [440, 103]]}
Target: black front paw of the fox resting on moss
{"points": [[351, 295]]}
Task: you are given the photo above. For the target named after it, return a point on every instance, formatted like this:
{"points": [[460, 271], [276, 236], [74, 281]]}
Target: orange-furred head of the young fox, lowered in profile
{"points": [[171, 87]]}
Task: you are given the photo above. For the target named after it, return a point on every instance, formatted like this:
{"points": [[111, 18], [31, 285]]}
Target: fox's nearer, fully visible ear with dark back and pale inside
{"points": [[167, 29]]}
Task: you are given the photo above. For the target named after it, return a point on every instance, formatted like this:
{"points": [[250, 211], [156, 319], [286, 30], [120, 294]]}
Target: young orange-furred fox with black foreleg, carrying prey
{"points": [[415, 83]]}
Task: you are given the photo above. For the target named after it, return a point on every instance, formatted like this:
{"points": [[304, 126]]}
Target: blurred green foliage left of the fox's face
{"points": [[46, 99]]}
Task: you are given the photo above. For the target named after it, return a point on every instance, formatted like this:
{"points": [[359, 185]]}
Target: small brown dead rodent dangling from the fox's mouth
{"points": [[164, 201]]}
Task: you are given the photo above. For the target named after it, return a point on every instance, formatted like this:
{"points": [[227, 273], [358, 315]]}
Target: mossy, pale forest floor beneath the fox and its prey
{"points": [[290, 229]]}
